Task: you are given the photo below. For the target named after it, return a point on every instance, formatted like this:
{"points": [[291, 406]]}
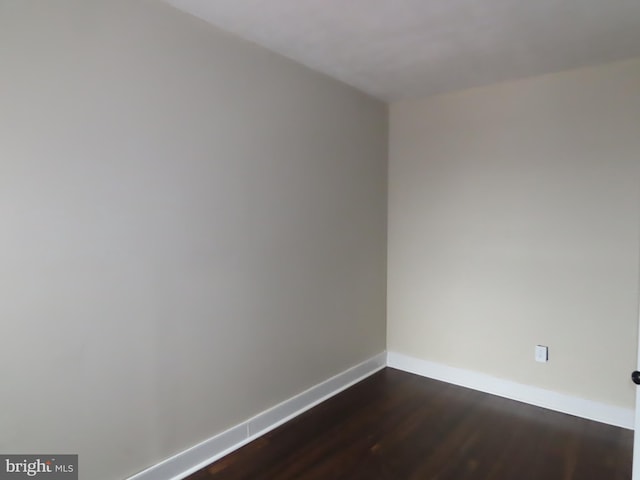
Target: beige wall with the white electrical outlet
{"points": [[513, 221]]}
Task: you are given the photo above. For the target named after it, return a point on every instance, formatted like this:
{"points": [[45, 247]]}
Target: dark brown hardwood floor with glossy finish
{"points": [[396, 426]]}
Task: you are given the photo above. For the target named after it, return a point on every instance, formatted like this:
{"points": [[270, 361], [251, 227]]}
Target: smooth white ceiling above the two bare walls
{"points": [[402, 49]]}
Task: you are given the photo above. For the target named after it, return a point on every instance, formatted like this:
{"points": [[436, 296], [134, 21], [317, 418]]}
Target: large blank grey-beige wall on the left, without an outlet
{"points": [[193, 230]]}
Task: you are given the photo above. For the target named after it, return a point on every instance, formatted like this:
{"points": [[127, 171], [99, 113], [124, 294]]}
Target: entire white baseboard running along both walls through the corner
{"points": [[193, 459]]}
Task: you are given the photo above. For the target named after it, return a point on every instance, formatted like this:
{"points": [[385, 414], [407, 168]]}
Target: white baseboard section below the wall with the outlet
{"points": [[579, 407]]}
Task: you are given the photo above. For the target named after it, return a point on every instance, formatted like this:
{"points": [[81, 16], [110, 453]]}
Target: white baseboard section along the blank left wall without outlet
{"points": [[193, 459]]}
